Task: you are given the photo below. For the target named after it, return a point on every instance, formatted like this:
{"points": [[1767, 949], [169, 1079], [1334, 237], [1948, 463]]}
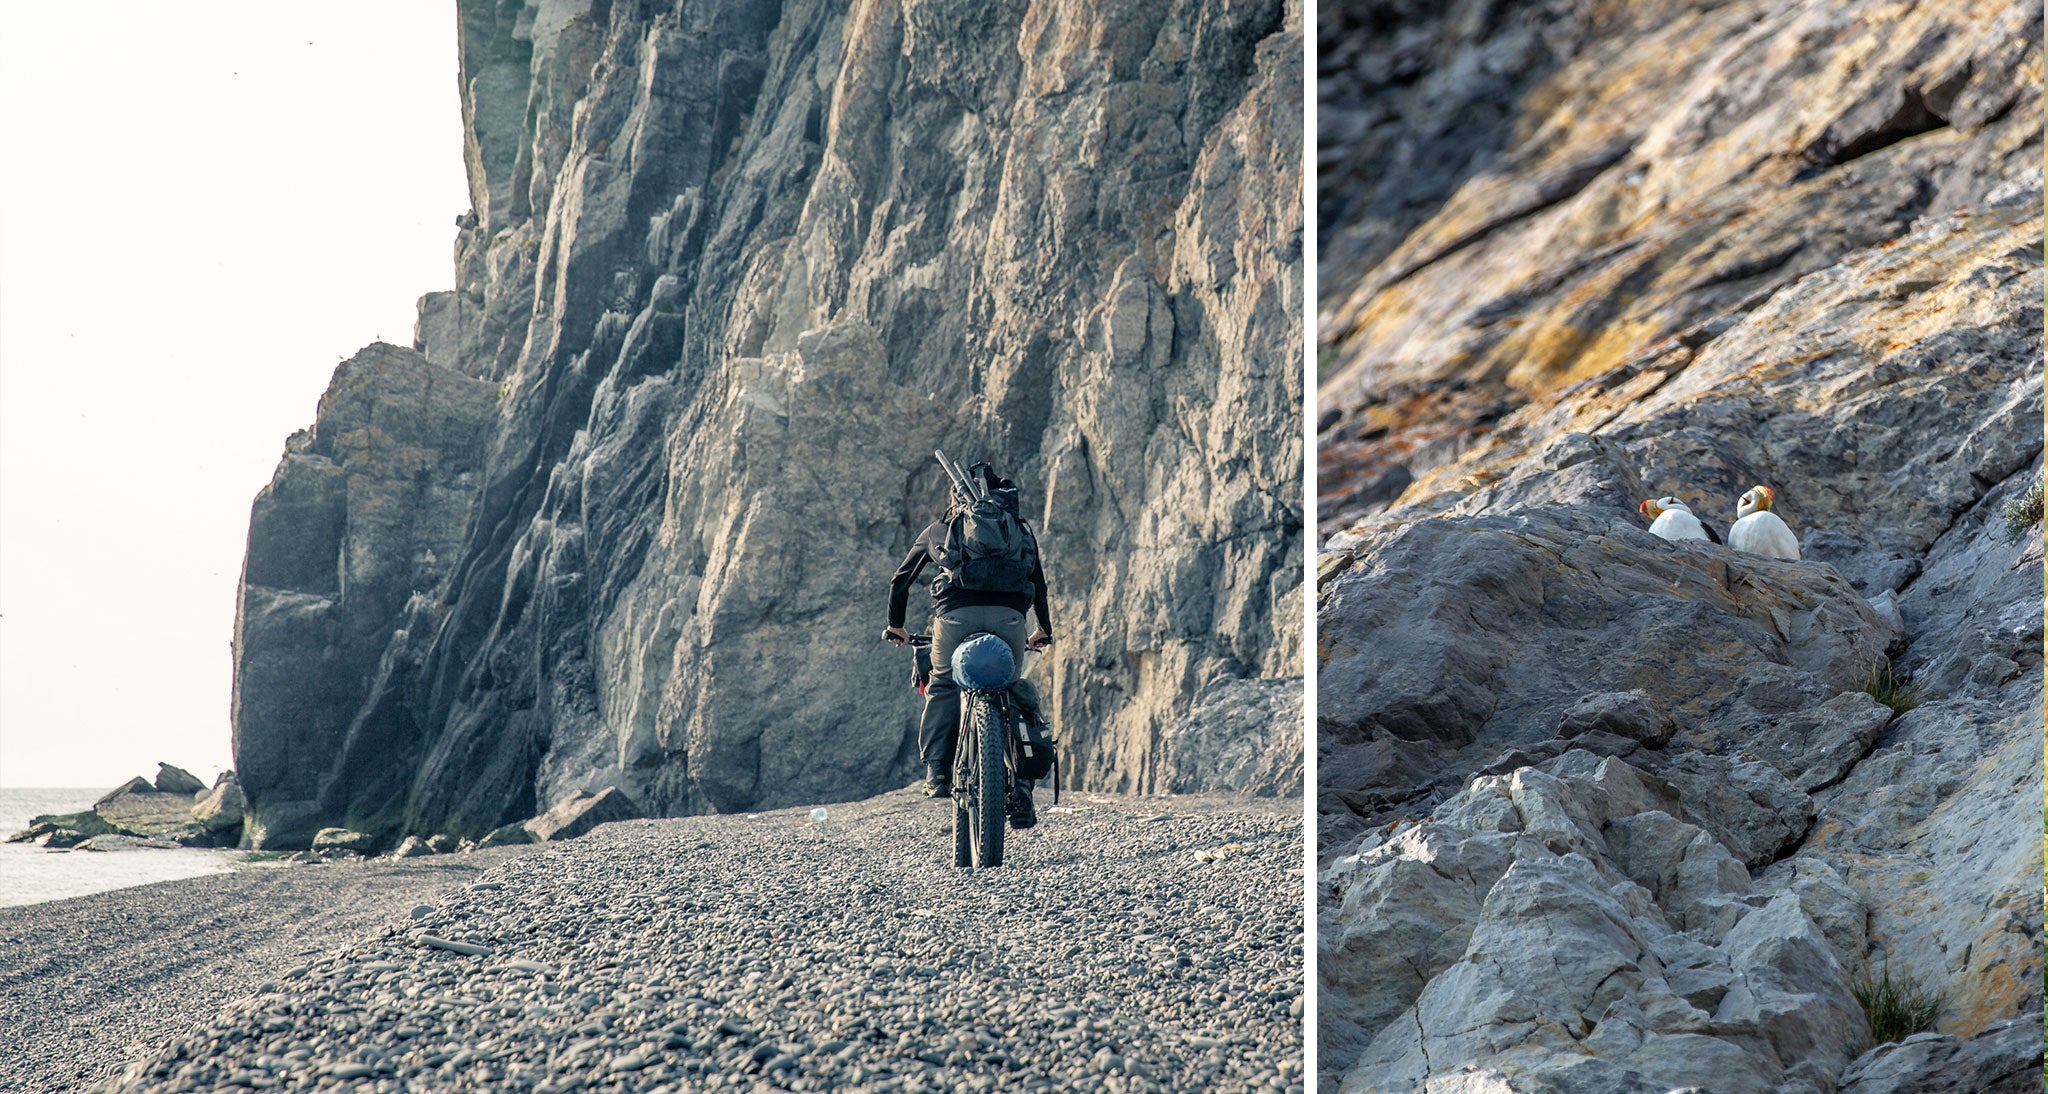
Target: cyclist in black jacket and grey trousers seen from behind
{"points": [[992, 599]]}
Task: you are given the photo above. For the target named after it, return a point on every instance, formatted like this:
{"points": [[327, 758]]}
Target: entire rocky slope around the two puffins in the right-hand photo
{"points": [[1603, 812]]}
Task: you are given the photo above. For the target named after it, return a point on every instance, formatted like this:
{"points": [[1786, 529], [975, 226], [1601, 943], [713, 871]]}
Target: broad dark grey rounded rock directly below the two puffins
{"points": [[1543, 624]]}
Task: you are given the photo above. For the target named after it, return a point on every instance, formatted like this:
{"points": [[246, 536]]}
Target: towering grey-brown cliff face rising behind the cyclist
{"points": [[732, 273]]}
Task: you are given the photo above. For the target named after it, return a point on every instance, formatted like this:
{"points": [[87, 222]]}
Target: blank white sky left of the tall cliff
{"points": [[204, 210]]}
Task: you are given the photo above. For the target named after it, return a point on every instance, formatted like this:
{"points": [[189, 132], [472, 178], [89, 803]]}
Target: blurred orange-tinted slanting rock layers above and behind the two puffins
{"points": [[1533, 196]]}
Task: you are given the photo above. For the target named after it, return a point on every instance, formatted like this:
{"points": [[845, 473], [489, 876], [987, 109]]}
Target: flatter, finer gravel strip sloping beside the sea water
{"points": [[87, 978]]}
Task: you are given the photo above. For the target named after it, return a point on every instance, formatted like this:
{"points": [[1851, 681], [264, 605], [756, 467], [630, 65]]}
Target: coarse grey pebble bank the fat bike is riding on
{"points": [[1113, 952]]}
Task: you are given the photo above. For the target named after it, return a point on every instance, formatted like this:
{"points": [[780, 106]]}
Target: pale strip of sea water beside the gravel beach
{"points": [[32, 874]]}
